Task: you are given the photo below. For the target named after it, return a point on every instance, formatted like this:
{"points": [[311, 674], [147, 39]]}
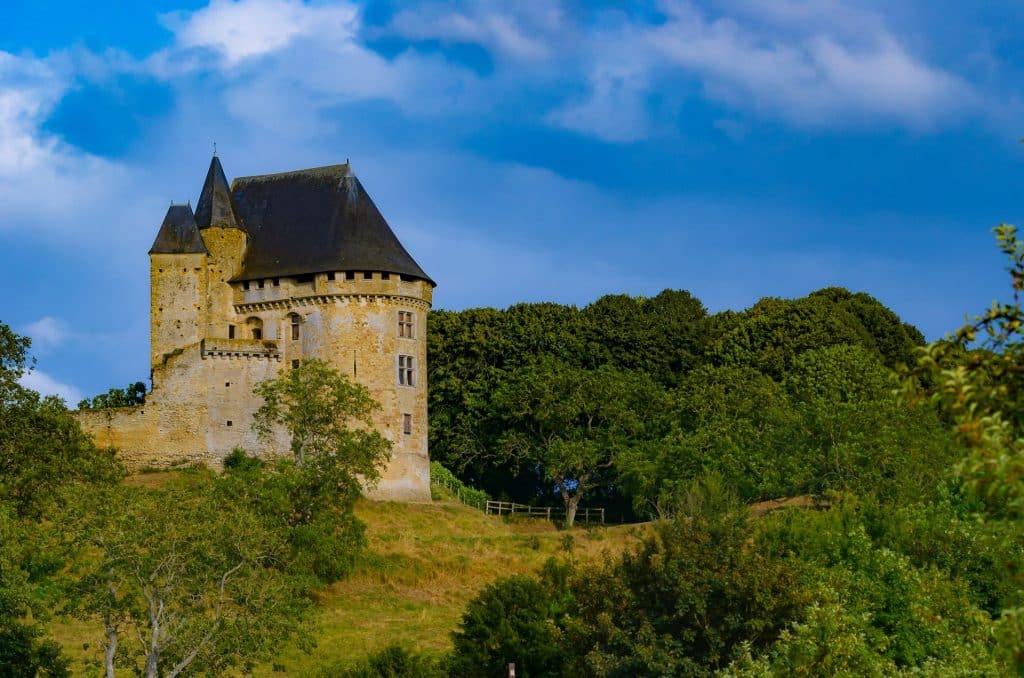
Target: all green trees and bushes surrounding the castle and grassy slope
{"points": [[903, 556]]}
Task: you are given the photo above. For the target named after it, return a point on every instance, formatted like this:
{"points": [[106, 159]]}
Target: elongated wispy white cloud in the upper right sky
{"points": [[817, 78]]}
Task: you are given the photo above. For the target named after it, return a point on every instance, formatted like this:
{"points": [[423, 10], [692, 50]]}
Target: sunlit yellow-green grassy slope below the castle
{"points": [[423, 565]]}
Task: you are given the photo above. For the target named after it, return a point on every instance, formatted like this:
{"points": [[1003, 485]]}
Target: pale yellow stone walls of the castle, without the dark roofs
{"points": [[202, 404]]}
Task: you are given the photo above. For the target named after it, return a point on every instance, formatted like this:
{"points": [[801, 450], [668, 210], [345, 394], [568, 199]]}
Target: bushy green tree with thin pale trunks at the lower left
{"points": [[183, 582]]}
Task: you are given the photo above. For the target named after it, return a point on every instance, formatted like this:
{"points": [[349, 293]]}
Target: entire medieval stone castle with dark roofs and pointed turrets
{"points": [[268, 272]]}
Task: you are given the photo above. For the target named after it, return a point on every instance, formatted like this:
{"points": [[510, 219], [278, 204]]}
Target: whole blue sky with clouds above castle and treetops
{"points": [[523, 152]]}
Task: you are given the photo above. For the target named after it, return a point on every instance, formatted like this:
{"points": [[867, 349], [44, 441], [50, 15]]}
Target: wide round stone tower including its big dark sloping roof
{"points": [[325, 277]]}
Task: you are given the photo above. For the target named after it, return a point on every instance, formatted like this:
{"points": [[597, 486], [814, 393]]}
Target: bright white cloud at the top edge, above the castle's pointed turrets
{"points": [[240, 30]]}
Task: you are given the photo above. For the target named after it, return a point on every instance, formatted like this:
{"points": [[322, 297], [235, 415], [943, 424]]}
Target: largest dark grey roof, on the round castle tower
{"points": [[316, 221]]}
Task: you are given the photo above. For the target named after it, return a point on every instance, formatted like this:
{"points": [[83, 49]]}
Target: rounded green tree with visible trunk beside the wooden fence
{"points": [[571, 423]]}
